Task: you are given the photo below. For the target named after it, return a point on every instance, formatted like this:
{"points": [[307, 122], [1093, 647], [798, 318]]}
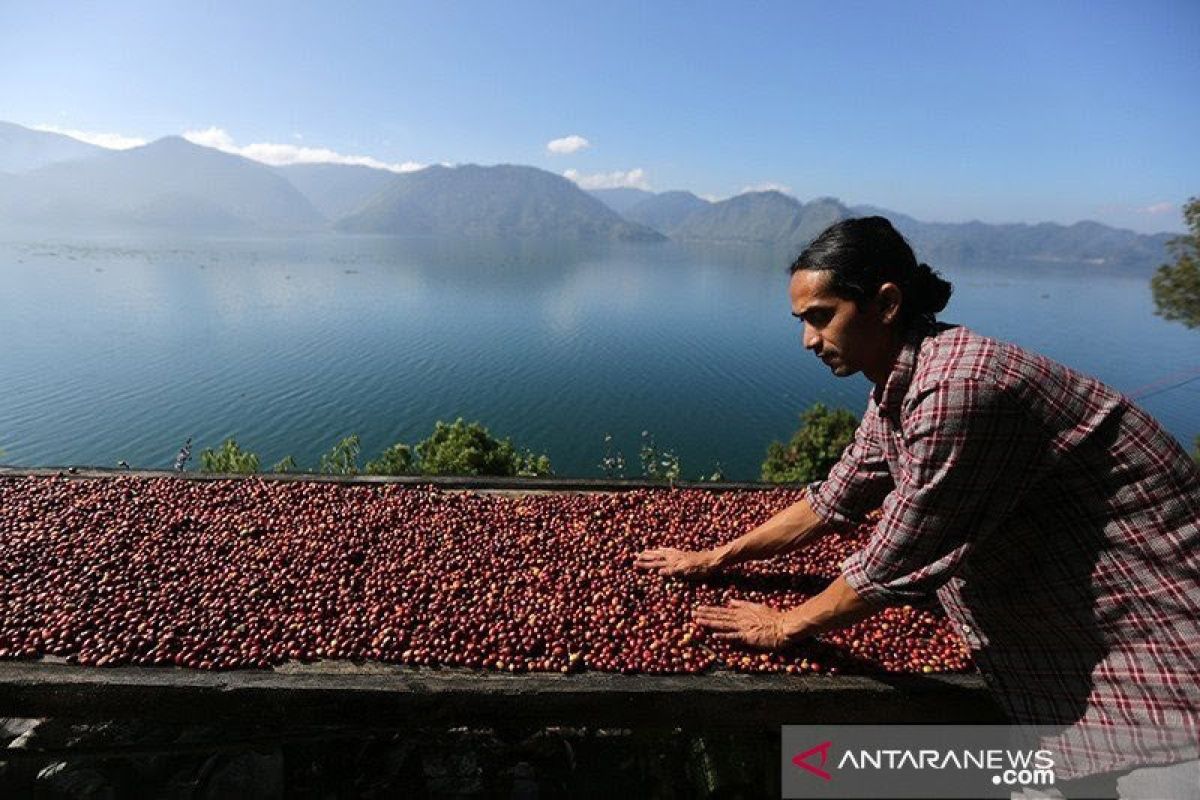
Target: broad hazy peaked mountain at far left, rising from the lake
{"points": [[169, 184]]}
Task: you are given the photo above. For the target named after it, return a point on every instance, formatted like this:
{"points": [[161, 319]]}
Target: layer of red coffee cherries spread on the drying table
{"points": [[251, 574]]}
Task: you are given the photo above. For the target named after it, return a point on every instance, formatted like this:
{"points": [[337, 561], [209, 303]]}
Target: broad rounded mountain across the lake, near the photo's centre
{"points": [[493, 202]]}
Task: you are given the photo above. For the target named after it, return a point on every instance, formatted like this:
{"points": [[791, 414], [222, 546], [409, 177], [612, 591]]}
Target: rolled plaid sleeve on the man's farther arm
{"points": [[860, 482]]}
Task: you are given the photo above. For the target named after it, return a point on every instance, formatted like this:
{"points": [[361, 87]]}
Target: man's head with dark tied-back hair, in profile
{"points": [[859, 290]]}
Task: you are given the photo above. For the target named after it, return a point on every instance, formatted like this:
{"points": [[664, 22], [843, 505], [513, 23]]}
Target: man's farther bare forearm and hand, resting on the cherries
{"points": [[790, 530]]}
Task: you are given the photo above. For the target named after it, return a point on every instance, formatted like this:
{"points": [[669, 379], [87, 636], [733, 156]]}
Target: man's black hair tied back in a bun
{"points": [[863, 255]]}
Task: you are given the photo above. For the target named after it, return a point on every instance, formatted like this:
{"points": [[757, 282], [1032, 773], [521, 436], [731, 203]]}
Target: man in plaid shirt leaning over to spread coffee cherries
{"points": [[1058, 524]]}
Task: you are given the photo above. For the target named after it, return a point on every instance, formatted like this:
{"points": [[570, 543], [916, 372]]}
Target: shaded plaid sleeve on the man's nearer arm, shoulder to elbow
{"points": [[964, 458]]}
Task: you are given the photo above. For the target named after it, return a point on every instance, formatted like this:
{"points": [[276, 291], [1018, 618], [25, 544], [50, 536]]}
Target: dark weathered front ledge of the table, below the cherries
{"points": [[344, 693]]}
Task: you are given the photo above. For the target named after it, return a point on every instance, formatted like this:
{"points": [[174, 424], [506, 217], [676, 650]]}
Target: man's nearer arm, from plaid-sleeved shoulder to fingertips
{"points": [[964, 466]]}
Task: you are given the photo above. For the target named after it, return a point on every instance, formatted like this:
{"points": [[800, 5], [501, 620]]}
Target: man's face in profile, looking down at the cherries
{"points": [[847, 339]]}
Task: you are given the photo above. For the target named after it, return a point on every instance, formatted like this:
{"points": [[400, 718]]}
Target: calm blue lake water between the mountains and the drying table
{"points": [[122, 350]]}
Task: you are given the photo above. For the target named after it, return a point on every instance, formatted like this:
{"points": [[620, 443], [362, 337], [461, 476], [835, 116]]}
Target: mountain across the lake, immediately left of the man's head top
{"points": [[761, 218]]}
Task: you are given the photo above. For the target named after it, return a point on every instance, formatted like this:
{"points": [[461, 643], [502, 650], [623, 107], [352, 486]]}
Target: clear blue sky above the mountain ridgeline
{"points": [[1015, 112]]}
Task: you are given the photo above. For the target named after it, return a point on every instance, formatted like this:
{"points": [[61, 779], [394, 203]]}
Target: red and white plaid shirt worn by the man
{"points": [[1060, 527]]}
